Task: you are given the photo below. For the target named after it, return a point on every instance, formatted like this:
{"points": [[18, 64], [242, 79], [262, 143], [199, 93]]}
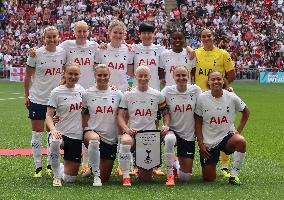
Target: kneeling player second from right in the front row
{"points": [[181, 99]]}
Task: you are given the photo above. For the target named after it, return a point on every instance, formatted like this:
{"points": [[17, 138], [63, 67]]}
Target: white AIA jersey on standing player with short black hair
{"points": [[149, 56]]}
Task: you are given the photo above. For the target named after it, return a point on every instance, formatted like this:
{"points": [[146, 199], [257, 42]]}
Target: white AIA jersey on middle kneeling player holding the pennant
{"points": [[142, 107]]}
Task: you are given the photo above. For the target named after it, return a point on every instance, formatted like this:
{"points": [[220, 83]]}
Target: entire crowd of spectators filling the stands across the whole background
{"points": [[252, 31]]}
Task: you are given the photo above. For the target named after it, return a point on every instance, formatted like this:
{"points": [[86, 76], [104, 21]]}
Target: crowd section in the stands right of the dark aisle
{"points": [[251, 30]]}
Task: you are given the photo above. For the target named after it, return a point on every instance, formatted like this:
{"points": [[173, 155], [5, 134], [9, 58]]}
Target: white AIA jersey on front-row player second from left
{"points": [[102, 106]]}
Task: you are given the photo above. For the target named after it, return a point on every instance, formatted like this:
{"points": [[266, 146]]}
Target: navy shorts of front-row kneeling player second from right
{"points": [[185, 148]]}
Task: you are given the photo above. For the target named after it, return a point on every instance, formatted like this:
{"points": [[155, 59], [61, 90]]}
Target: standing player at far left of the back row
{"points": [[44, 72]]}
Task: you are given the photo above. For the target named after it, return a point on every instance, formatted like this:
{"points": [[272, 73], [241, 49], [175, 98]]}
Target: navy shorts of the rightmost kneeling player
{"points": [[215, 152]]}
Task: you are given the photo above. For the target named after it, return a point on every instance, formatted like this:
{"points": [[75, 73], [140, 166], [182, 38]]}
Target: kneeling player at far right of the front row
{"points": [[214, 118]]}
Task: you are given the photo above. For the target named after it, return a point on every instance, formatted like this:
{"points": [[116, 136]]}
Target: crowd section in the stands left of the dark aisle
{"points": [[23, 21]]}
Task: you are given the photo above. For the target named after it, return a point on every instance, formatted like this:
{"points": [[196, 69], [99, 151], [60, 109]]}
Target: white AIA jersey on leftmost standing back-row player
{"points": [[48, 69]]}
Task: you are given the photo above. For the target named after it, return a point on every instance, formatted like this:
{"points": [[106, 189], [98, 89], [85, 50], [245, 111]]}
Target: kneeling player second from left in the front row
{"points": [[100, 104]]}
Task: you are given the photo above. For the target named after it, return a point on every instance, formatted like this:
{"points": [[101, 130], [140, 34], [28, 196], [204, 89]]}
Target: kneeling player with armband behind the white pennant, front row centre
{"points": [[137, 111]]}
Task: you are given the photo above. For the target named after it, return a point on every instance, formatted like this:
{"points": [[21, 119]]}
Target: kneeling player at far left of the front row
{"points": [[67, 134]]}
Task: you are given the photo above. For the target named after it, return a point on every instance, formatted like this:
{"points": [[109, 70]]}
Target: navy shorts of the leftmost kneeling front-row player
{"points": [[72, 149]]}
